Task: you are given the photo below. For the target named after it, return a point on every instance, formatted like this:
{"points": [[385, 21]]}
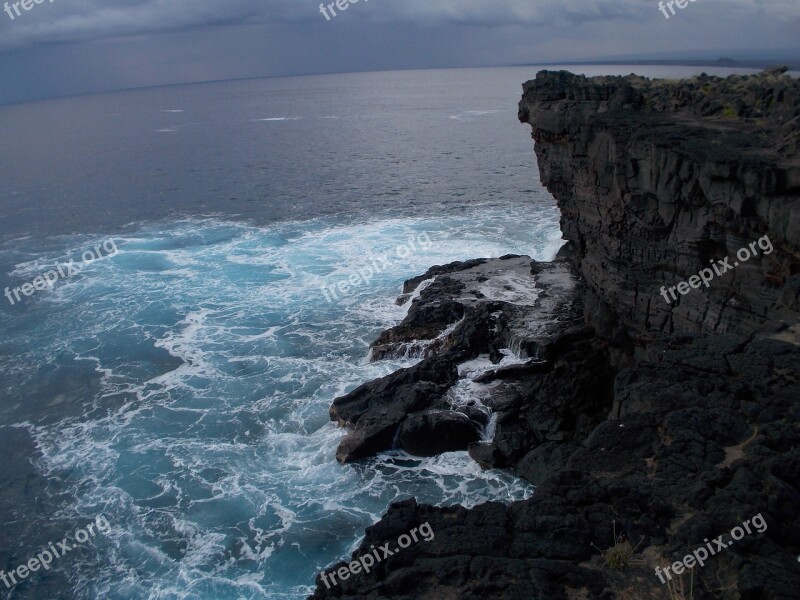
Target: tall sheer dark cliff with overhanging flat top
{"points": [[658, 181]]}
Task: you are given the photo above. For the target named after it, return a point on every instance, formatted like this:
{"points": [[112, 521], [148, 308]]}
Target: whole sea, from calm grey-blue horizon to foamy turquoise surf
{"points": [[180, 387]]}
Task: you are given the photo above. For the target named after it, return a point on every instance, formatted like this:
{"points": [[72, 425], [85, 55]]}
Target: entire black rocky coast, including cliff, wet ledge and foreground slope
{"points": [[646, 426]]}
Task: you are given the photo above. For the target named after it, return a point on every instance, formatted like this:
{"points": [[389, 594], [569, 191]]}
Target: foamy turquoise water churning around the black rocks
{"points": [[190, 404]]}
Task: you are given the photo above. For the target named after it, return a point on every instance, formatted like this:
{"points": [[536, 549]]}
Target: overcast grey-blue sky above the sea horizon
{"points": [[63, 47]]}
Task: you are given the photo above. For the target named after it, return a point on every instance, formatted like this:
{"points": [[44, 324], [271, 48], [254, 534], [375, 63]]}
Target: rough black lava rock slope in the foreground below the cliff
{"points": [[701, 435]]}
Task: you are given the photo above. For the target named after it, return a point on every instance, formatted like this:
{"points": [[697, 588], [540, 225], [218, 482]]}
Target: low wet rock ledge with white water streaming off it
{"points": [[466, 311]]}
